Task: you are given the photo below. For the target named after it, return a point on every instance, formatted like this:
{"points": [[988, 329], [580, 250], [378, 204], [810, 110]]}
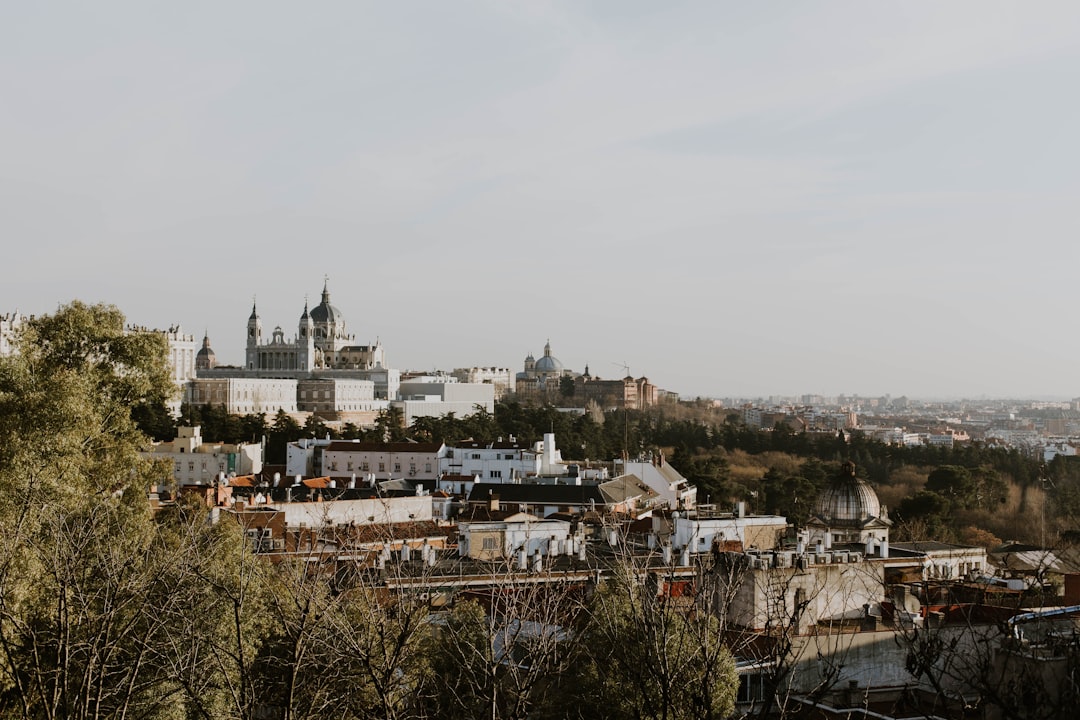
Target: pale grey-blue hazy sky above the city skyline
{"points": [[734, 199]]}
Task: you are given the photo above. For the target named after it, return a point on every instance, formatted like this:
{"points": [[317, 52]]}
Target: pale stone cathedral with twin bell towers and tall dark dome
{"points": [[322, 343]]}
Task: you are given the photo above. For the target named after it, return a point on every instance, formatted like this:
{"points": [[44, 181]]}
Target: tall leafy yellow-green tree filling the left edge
{"points": [[76, 556]]}
